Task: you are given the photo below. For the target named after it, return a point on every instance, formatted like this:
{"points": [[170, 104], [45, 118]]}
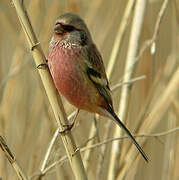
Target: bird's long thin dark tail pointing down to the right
{"points": [[119, 122]]}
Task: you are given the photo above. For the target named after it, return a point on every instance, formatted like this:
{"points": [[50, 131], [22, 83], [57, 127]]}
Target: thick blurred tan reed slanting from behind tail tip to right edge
{"points": [[153, 118]]}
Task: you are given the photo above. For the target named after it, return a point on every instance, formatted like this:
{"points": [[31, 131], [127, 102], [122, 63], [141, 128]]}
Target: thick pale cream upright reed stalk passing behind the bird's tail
{"points": [[128, 73]]}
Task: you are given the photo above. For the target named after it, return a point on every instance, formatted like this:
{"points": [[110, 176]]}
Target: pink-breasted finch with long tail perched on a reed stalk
{"points": [[78, 70]]}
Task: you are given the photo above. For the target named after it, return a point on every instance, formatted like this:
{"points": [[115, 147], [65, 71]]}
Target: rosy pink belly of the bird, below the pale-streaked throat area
{"points": [[70, 80]]}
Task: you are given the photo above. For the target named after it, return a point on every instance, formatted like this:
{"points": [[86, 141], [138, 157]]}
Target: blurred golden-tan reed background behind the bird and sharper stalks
{"points": [[26, 119]]}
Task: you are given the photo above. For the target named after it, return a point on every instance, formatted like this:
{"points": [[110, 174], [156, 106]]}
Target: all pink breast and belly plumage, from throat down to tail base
{"points": [[66, 69]]}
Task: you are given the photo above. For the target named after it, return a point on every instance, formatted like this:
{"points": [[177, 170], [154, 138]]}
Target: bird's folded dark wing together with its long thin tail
{"points": [[96, 73]]}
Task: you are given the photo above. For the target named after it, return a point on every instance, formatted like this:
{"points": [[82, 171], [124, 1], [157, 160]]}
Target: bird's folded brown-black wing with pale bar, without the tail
{"points": [[96, 71]]}
